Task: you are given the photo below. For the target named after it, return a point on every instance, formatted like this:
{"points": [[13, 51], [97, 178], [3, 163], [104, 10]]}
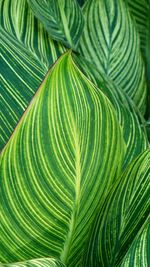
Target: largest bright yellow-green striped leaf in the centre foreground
{"points": [[57, 168]]}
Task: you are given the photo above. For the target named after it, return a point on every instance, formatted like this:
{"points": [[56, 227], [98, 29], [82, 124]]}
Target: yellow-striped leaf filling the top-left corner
{"points": [[18, 20]]}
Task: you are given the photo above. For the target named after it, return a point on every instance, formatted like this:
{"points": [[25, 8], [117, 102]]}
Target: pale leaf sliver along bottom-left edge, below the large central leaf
{"points": [[43, 262]]}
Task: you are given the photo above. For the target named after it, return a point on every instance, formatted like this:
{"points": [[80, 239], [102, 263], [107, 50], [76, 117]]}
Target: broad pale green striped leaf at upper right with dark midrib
{"points": [[111, 43]]}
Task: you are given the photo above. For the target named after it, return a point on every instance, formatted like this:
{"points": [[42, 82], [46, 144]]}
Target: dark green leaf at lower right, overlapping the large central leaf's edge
{"points": [[122, 217]]}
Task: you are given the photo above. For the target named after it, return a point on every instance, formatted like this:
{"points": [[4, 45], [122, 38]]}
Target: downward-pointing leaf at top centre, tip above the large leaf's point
{"points": [[62, 19]]}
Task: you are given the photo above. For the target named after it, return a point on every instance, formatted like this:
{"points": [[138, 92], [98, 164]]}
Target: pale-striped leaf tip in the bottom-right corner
{"points": [[139, 252]]}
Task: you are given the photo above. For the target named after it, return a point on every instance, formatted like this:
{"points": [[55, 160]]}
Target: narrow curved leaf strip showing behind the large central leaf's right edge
{"points": [[131, 122]]}
